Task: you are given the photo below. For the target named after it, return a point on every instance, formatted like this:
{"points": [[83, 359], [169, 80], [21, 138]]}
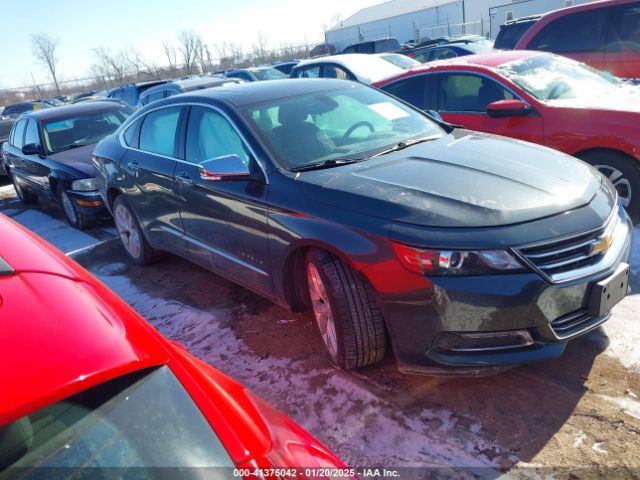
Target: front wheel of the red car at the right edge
{"points": [[611, 165]]}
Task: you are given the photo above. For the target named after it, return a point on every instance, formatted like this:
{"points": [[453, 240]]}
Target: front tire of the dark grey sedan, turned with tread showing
{"points": [[359, 325]]}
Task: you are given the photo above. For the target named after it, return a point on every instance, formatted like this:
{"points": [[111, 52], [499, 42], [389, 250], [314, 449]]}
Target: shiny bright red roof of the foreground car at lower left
{"points": [[62, 331]]}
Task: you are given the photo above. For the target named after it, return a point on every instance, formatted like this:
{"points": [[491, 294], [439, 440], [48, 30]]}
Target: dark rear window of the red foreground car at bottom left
{"points": [[145, 419]]}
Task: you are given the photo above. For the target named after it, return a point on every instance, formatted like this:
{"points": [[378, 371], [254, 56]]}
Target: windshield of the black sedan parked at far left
{"points": [[73, 132]]}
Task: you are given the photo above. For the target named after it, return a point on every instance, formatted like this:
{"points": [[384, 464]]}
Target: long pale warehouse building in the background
{"points": [[422, 19]]}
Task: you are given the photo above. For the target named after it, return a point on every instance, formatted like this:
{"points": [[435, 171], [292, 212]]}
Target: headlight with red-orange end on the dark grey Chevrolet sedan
{"points": [[456, 262]]}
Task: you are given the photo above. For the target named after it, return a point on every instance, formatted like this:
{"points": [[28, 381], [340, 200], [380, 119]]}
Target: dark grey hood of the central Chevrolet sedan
{"points": [[461, 180]]}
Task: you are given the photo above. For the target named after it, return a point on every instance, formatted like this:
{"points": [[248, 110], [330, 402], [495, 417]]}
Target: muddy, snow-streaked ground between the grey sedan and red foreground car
{"points": [[574, 417]]}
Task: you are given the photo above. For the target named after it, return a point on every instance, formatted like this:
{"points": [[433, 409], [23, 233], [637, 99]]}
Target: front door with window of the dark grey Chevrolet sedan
{"points": [[225, 221]]}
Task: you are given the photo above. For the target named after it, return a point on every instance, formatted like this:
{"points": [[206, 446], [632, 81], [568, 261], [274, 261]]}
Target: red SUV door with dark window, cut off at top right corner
{"points": [[622, 54]]}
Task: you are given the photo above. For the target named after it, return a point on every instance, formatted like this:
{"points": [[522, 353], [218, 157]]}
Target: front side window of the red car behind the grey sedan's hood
{"points": [[469, 93]]}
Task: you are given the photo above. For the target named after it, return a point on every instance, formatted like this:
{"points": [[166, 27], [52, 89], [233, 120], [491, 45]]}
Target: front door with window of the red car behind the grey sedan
{"points": [[462, 98]]}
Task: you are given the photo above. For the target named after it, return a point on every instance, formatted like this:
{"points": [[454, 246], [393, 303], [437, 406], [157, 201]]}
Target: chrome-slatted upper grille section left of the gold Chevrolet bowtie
{"points": [[561, 256]]}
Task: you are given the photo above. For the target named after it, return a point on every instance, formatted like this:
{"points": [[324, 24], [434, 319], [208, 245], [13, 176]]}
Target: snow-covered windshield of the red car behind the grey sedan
{"points": [[549, 77]]}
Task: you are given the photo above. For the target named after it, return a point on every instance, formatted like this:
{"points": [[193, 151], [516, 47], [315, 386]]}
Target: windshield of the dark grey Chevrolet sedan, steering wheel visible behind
{"points": [[347, 124]]}
